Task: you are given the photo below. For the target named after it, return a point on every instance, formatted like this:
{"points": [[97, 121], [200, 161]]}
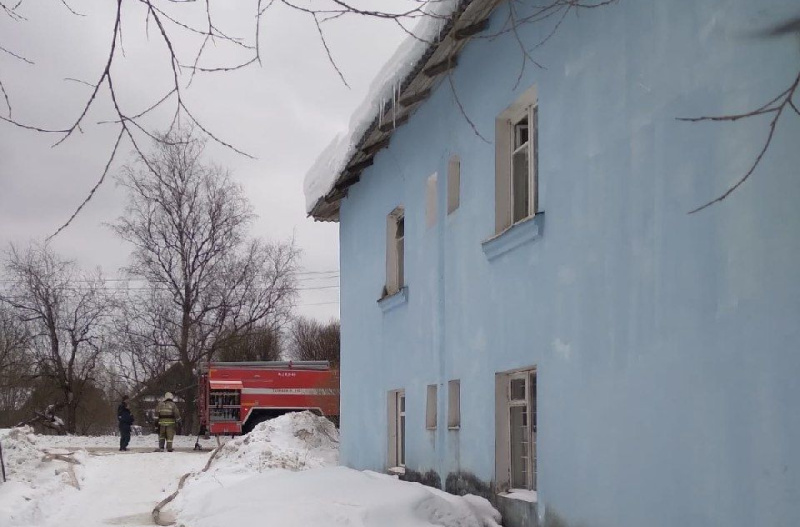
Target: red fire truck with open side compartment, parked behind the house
{"points": [[233, 397]]}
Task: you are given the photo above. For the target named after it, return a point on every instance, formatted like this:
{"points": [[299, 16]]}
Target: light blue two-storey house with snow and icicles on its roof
{"points": [[535, 316]]}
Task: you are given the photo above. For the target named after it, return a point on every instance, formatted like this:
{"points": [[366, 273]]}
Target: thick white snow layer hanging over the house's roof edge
{"points": [[321, 177]]}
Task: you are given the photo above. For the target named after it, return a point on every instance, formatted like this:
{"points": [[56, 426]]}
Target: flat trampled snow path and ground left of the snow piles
{"points": [[46, 490]]}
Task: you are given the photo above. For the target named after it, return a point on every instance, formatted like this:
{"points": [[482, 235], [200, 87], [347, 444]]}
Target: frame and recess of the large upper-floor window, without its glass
{"points": [[506, 125]]}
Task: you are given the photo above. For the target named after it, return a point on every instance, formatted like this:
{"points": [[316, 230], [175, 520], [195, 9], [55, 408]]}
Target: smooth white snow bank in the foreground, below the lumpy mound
{"points": [[334, 496]]}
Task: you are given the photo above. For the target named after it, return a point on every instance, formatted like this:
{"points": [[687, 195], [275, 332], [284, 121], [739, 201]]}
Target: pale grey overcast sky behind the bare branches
{"points": [[283, 112]]}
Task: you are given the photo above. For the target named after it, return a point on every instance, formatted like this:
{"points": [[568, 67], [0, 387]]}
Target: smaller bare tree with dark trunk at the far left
{"points": [[64, 312]]}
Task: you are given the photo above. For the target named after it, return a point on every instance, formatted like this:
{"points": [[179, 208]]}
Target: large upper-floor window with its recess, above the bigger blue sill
{"points": [[516, 161]]}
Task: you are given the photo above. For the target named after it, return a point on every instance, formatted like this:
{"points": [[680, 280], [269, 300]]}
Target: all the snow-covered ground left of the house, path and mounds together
{"points": [[283, 473]]}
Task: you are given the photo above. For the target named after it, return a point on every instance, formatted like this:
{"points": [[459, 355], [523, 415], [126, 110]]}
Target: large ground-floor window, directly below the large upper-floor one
{"points": [[516, 430]]}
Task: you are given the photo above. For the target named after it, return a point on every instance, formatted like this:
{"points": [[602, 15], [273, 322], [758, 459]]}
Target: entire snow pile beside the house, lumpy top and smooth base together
{"points": [[284, 473]]}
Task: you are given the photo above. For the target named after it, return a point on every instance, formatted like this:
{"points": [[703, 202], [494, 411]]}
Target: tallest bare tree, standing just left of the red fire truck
{"points": [[207, 283]]}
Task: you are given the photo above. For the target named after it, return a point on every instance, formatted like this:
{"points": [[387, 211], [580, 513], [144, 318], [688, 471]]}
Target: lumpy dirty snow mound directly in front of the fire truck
{"points": [[295, 441]]}
